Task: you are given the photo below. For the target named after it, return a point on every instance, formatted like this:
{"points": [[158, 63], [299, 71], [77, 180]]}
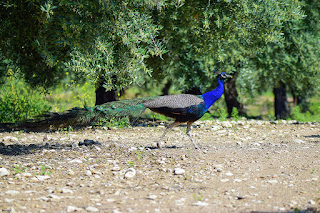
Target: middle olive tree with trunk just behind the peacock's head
{"points": [[204, 35]]}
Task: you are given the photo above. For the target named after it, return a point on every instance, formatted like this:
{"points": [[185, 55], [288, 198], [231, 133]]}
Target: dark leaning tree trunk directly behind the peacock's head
{"points": [[231, 96]]}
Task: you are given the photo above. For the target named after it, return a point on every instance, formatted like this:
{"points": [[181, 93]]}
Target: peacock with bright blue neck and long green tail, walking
{"points": [[184, 108]]}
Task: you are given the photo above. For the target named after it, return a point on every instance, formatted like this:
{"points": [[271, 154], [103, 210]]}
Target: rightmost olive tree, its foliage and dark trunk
{"points": [[291, 65]]}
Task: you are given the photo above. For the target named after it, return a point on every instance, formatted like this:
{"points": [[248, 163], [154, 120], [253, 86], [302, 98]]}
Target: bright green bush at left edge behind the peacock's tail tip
{"points": [[18, 102]]}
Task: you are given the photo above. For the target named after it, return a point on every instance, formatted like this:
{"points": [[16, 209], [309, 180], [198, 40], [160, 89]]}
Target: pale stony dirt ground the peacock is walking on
{"points": [[244, 166]]}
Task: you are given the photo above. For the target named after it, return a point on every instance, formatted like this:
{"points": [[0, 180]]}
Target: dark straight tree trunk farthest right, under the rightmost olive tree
{"points": [[281, 107]]}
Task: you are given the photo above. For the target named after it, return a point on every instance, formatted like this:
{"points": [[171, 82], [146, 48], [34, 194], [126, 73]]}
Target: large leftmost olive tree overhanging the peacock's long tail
{"points": [[106, 42]]}
